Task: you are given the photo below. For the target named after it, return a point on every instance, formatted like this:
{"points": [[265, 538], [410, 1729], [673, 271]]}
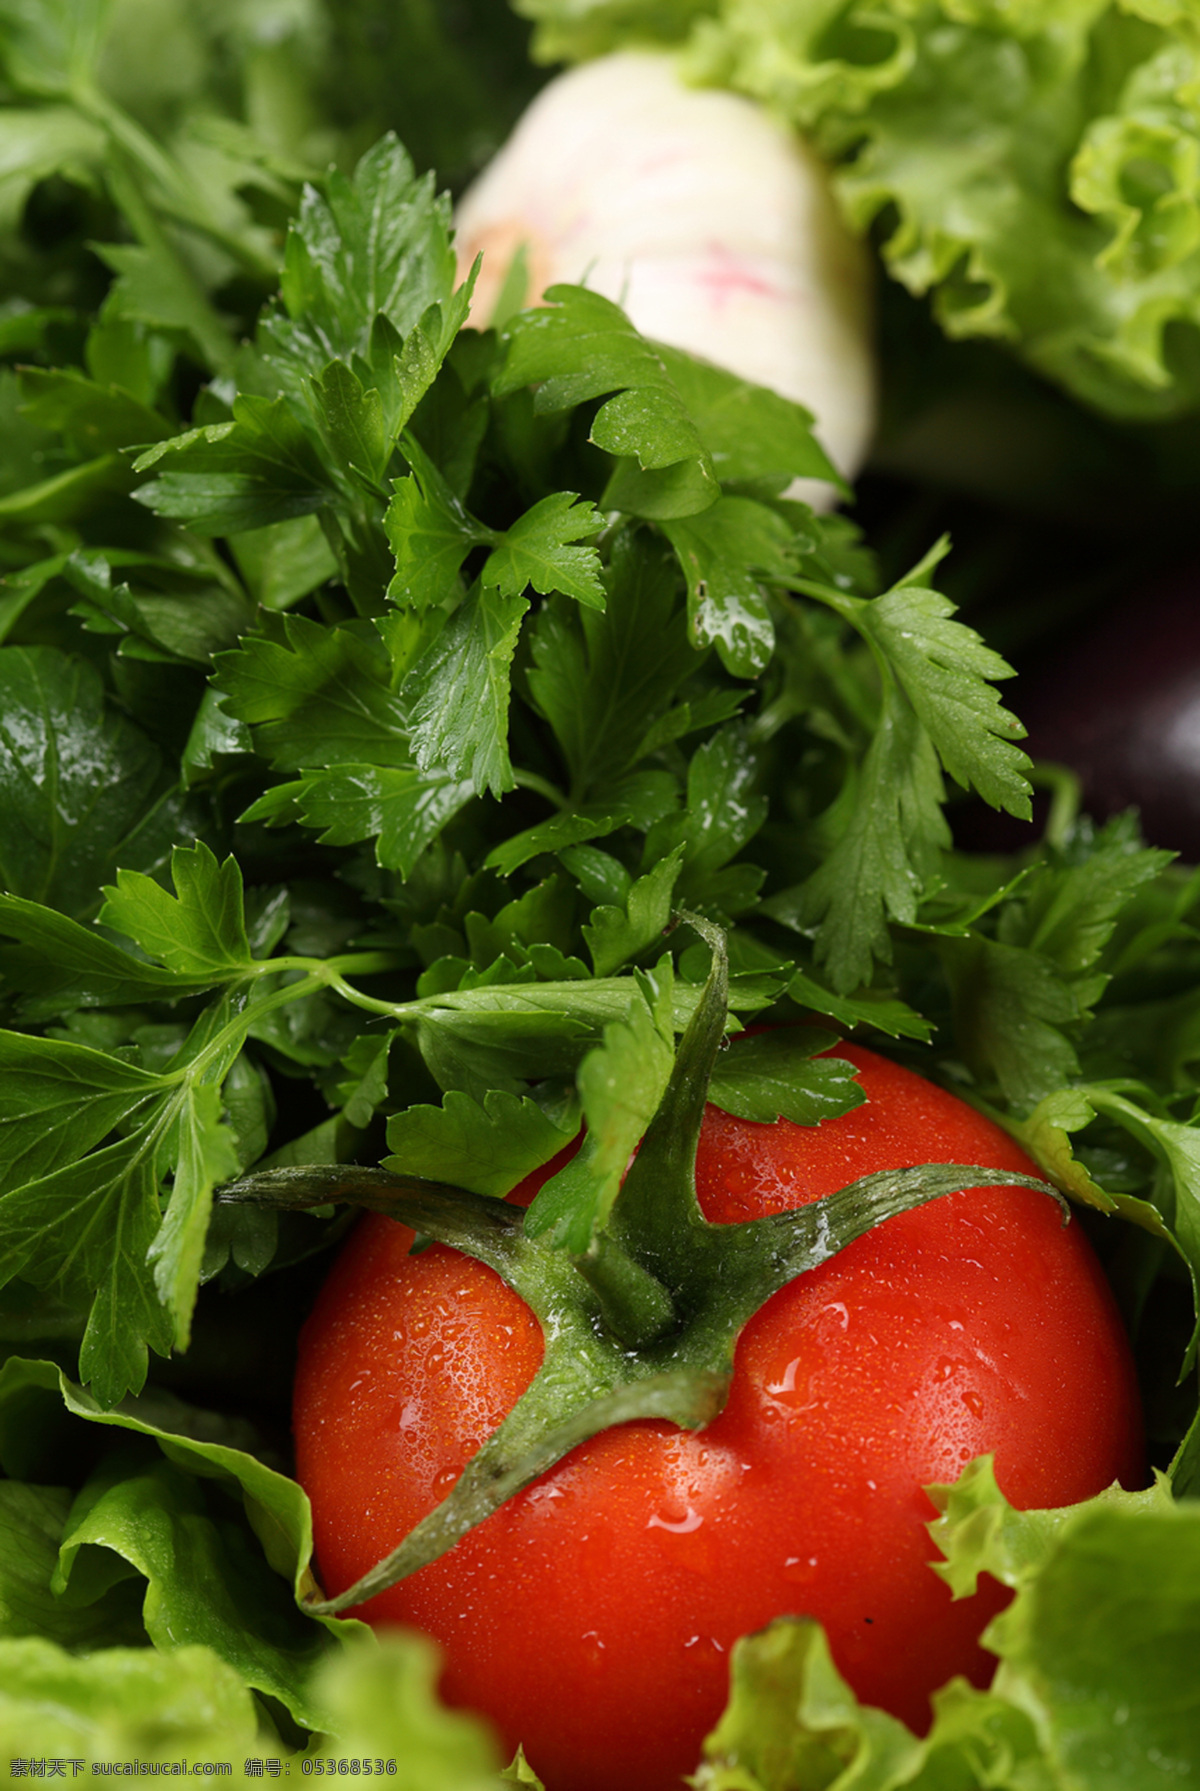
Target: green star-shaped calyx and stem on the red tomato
{"points": [[644, 1321]]}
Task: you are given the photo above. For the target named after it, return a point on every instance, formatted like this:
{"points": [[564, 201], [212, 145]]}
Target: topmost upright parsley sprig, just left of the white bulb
{"points": [[366, 316]]}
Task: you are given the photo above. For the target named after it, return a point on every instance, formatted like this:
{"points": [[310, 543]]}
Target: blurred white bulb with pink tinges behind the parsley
{"points": [[705, 218]]}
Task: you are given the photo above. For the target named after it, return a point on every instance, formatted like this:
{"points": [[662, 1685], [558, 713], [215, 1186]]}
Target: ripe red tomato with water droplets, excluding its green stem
{"points": [[592, 1618]]}
